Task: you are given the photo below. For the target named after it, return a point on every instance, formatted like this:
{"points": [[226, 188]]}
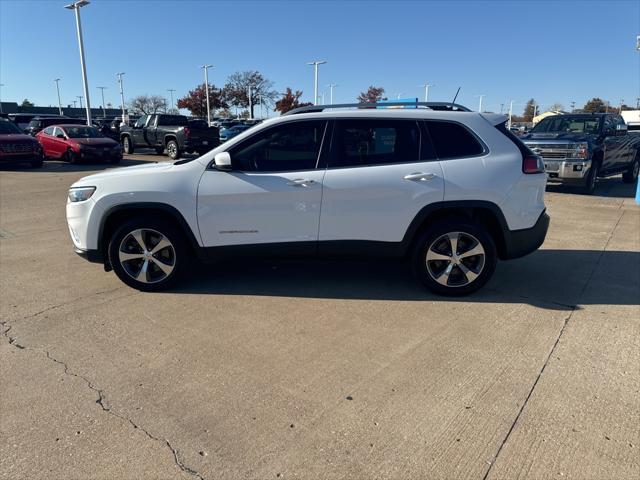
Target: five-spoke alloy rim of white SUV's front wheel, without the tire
{"points": [[146, 255]]}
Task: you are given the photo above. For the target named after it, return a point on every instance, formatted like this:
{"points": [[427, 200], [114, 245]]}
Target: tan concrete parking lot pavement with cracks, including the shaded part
{"points": [[310, 369]]}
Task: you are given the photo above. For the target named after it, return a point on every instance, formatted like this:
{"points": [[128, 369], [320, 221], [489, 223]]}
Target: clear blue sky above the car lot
{"points": [[552, 51]]}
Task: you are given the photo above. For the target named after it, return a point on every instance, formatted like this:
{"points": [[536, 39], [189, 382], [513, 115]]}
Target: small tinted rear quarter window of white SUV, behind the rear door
{"points": [[452, 140]]}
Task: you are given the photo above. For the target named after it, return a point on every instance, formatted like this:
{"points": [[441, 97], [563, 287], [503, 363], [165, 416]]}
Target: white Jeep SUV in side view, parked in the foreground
{"points": [[449, 189]]}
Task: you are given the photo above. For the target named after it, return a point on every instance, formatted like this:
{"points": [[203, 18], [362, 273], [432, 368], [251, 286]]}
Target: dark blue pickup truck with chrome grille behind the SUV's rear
{"points": [[577, 149]]}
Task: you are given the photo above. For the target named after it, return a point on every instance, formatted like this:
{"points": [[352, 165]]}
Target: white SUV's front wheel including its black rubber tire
{"points": [[174, 256]]}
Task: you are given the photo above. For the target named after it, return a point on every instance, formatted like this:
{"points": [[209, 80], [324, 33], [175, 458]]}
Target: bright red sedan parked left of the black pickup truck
{"points": [[75, 143]]}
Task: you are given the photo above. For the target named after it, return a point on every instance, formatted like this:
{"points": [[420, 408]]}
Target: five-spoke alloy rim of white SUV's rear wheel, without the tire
{"points": [[455, 259]]}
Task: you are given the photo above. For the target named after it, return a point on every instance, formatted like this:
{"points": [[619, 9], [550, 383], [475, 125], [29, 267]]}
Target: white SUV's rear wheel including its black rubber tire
{"points": [[456, 282]]}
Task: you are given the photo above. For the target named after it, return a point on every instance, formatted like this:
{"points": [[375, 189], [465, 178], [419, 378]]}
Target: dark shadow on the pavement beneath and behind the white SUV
{"points": [[549, 279]]}
